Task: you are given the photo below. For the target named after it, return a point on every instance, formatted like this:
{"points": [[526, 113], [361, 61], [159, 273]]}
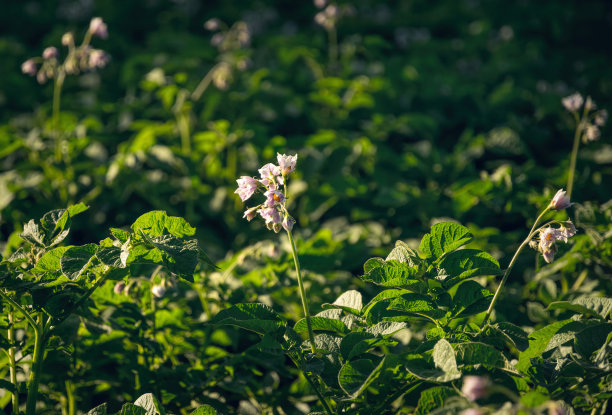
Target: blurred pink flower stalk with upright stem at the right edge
{"points": [[588, 124]]}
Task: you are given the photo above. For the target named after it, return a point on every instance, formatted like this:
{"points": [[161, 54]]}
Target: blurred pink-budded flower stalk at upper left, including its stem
{"points": [[79, 58]]}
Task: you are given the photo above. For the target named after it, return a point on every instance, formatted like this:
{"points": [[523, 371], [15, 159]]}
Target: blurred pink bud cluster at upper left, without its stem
{"points": [[79, 58]]}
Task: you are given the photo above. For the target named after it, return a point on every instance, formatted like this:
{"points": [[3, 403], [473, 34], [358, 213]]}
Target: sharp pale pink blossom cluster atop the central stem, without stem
{"points": [[272, 181]]}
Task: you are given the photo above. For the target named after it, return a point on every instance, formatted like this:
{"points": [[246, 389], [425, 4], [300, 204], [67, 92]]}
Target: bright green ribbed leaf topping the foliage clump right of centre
{"points": [[444, 238]]}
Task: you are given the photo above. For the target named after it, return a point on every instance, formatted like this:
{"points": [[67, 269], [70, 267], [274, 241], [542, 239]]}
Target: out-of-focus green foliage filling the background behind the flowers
{"points": [[403, 113]]}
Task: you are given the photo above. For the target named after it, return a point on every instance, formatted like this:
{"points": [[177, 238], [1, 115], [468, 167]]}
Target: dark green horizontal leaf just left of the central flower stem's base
{"points": [[254, 317]]}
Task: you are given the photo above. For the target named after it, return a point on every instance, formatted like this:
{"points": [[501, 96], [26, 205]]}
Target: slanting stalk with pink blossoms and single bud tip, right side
{"points": [[543, 239]]}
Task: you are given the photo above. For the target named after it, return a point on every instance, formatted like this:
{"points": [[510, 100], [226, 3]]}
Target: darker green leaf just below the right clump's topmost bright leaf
{"points": [[468, 263]]}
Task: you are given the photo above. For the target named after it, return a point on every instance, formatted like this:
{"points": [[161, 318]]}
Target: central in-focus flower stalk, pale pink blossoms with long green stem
{"points": [[273, 184]]}
